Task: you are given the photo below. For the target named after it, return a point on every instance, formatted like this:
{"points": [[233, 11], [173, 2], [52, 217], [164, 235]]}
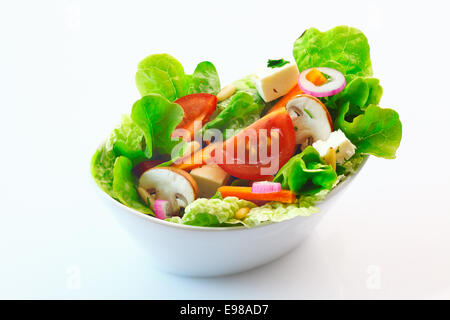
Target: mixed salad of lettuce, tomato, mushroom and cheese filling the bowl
{"points": [[263, 149]]}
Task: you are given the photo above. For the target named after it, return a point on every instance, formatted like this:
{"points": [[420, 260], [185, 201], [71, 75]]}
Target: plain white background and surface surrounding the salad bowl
{"points": [[67, 74]]}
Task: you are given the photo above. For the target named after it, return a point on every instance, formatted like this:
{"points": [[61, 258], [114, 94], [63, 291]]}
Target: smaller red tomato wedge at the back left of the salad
{"points": [[197, 107]]}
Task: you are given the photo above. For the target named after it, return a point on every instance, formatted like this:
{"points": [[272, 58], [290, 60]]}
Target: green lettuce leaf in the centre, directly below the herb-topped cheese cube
{"points": [[241, 112]]}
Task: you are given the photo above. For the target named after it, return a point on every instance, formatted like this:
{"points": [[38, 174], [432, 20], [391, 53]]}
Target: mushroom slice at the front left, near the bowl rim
{"points": [[171, 184]]}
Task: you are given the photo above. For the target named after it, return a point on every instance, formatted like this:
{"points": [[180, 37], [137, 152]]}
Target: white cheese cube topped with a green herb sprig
{"points": [[273, 83]]}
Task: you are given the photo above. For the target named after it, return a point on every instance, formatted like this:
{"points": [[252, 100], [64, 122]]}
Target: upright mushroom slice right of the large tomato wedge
{"points": [[311, 119]]}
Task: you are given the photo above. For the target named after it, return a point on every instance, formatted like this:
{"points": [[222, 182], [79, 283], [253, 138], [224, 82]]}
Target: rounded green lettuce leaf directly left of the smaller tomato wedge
{"points": [[157, 117]]}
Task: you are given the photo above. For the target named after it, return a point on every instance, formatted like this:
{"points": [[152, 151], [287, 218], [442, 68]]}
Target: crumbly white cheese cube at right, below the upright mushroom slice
{"points": [[339, 142]]}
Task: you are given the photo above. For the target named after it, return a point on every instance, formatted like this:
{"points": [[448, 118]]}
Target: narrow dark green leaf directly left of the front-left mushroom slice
{"points": [[124, 185]]}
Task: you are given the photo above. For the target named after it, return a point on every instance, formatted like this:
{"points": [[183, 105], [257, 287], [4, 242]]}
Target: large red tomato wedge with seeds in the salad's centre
{"points": [[260, 150]]}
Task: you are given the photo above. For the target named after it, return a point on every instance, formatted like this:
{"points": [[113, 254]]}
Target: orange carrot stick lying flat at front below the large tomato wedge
{"points": [[246, 193]]}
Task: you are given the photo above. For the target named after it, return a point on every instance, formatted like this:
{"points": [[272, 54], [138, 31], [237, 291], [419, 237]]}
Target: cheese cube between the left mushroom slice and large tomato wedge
{"points": [[209, 178]]}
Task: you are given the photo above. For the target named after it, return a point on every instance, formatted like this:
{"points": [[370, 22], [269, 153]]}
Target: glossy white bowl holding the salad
{"points": [[206, 252]]}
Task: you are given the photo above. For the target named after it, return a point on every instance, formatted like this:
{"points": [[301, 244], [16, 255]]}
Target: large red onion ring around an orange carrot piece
{"points": [[335, 84]]}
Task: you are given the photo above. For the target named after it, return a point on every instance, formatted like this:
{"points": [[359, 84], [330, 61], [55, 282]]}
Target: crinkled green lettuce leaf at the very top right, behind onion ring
{"points": [[342, 48]]}
